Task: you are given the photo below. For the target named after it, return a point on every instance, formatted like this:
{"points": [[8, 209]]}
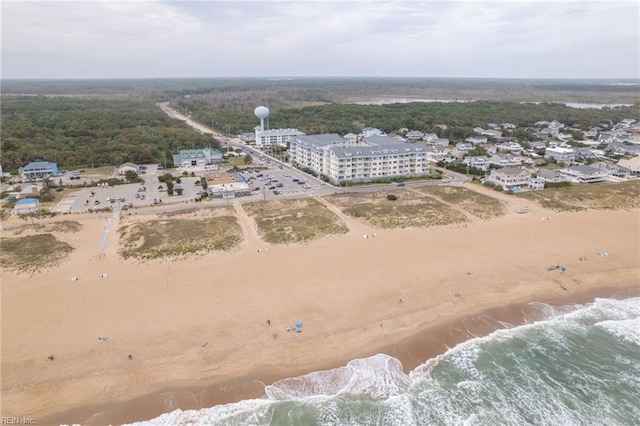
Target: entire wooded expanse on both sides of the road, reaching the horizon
{"points": [[84, 123]]}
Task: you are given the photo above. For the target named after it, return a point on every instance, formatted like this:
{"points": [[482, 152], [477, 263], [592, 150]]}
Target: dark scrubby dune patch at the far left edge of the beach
{"points": [[33, 253]]}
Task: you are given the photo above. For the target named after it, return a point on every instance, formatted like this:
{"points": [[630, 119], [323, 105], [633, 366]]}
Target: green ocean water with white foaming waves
{"points": [[571, 365]]}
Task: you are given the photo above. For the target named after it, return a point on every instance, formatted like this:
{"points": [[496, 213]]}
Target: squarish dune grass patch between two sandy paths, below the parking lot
{"points": [[294, 221]]}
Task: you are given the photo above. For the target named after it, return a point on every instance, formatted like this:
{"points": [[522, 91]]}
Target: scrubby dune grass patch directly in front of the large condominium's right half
{"points": [[409, 210]]}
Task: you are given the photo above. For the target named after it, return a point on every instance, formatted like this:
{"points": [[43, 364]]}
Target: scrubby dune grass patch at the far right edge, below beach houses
{"points": [[613, 196]]}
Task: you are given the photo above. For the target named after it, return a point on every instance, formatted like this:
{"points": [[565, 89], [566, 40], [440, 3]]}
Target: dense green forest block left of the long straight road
{"points": [[85, 132]]}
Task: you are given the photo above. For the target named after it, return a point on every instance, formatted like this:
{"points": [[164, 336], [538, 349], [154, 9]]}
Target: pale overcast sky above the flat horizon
{"points": [[268, 38]]}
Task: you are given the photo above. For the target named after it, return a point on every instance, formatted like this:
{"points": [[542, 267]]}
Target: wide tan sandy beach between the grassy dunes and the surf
{"points": [[196, 328]]}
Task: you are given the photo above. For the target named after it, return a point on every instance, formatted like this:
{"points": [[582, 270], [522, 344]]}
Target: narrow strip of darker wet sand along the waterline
{"points": [[412, 351]]}
